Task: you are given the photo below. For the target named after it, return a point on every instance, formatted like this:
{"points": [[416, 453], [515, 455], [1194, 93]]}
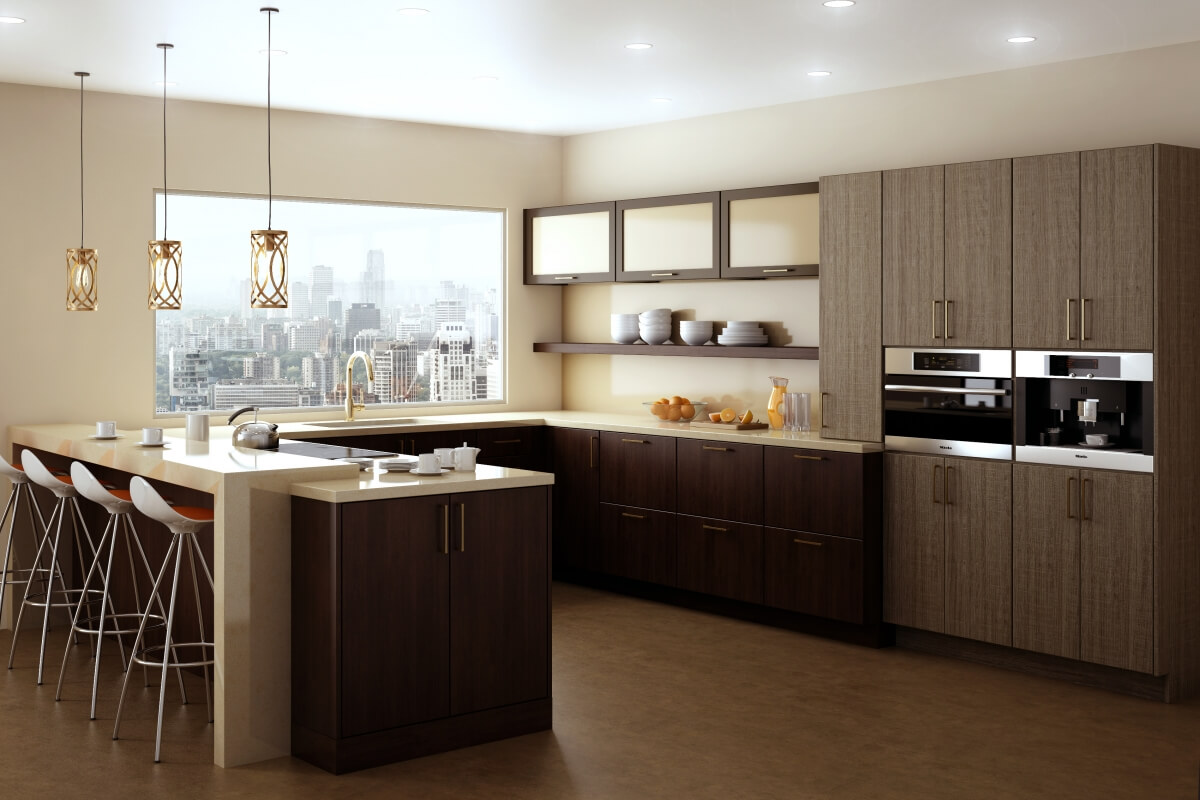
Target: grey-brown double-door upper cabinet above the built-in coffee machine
{"points": [[1084, 250]]}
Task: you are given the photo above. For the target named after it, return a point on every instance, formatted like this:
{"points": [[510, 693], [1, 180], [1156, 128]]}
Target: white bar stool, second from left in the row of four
{"points": [[67, 504]]}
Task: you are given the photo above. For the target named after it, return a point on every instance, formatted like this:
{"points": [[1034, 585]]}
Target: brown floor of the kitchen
{"points": [[659, 702]]}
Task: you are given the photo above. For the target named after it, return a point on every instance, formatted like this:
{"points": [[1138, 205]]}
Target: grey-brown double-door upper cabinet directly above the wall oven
{"points": [[947, 256]]}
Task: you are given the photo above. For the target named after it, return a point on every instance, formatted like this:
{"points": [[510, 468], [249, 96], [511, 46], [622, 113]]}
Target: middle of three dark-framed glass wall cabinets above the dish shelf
{"points": [[669, 238]]}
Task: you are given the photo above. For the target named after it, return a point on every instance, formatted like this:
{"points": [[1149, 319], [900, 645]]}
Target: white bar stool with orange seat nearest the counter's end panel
{"points": [[184, 524]]}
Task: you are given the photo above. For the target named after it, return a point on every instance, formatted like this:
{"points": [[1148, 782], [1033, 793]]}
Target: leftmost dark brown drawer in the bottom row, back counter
{"points": [[637, 544]]}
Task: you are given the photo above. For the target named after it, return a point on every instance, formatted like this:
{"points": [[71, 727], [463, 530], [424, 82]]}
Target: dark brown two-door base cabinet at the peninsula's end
{"points": [[418, 625]]}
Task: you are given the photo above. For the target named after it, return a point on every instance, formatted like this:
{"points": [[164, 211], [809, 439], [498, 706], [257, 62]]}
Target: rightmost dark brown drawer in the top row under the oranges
{"points": [[814, 490]]}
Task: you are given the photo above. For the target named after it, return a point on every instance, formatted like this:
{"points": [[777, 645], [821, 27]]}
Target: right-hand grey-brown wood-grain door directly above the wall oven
{"points": [[979, 309]]}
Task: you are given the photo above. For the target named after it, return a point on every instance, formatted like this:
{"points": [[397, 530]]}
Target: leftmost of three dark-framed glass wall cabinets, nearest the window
{"points": [[571, 244]]}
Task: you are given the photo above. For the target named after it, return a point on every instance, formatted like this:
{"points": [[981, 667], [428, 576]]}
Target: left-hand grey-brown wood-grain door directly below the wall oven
{"points": [[915, 542]]}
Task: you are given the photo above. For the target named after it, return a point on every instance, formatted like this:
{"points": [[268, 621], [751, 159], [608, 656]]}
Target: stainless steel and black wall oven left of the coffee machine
{"points": [[949, 402]]}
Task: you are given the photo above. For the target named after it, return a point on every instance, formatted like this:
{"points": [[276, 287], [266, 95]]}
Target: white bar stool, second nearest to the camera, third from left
{"points": [[119, 506]]}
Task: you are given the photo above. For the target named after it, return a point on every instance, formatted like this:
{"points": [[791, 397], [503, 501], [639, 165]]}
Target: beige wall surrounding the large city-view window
{"points": [[62, 366]]}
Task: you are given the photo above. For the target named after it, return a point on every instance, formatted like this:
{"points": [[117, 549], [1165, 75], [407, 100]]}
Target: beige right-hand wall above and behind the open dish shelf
{"points": [[1132, 99]]}
